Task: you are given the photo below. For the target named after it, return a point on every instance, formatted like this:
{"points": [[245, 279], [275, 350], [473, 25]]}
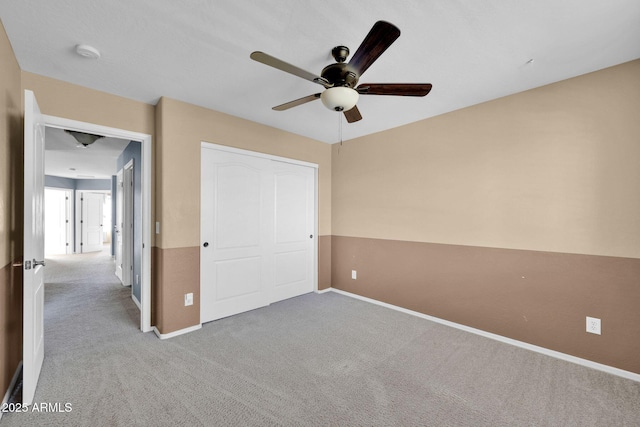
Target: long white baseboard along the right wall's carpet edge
{"points": [[558, 355]]}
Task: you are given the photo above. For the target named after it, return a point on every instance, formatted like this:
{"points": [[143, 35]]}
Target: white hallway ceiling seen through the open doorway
{"points": [[65, 157]]}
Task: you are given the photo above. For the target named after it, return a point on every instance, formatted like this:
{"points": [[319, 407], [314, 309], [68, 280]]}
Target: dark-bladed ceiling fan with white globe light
{"points": [[340, 79]]}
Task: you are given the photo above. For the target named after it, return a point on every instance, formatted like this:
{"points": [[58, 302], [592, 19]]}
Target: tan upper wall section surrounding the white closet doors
{"points": [[181, 129]]}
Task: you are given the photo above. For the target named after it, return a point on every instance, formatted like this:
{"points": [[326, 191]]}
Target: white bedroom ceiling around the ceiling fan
{"points": [[198, 51]]}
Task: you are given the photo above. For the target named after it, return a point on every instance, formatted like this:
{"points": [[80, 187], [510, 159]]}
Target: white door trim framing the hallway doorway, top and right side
{"points": [[145, 139]]}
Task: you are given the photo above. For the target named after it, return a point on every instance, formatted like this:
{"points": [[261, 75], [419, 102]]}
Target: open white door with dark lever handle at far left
{"points": [[33, 261]]}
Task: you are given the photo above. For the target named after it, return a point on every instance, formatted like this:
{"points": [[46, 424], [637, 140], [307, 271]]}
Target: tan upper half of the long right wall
{"points": [[555, 168]]}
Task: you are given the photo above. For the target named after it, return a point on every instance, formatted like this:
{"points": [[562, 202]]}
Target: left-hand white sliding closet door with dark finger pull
{"points": [[236, 197]]}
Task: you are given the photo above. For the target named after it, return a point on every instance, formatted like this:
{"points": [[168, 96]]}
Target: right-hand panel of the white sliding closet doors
{"points": [[294, 188]]}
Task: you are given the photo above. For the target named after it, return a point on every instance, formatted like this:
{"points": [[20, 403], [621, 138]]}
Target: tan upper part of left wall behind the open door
{"points": [[10, 129]]}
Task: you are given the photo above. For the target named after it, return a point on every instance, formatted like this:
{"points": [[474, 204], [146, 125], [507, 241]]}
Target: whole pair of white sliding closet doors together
{"points": [[258, 230]]}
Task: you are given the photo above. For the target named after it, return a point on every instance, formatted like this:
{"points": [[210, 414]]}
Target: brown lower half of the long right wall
{"points": [[541, 298]]}
